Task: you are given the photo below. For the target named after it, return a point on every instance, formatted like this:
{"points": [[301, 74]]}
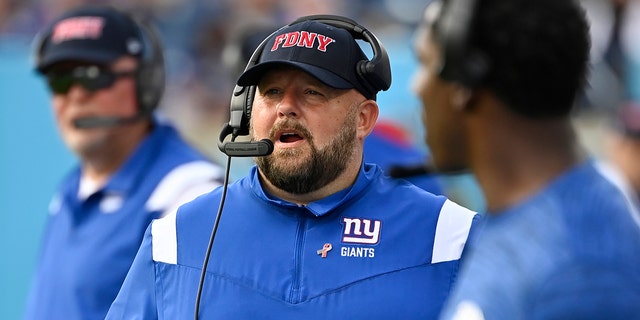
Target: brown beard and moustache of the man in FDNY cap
{"points": [[291, 171]]}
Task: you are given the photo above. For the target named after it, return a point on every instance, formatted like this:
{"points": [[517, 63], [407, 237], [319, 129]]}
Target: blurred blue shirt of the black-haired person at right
{"points": [[571, 251]]}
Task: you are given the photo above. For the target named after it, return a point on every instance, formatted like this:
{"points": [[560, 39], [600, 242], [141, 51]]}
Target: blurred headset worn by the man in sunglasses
{"points": [[150, 74]]}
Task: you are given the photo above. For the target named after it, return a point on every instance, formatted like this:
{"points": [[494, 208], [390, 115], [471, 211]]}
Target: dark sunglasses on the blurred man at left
{"points": [[91, 78]]}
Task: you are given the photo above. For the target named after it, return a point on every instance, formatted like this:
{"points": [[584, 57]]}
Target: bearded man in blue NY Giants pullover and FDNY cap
{"points": [[311, 232]]}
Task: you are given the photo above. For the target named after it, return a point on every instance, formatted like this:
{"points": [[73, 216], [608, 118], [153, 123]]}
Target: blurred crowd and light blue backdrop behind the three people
{"points": [[203, 56]]}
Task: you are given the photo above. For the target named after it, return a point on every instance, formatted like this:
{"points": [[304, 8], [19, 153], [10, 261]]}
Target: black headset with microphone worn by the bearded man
{"points": [[374, 75]]}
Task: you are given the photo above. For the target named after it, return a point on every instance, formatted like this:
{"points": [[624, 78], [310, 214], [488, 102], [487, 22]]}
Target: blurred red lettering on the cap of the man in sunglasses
{"points": [[78, 28]]}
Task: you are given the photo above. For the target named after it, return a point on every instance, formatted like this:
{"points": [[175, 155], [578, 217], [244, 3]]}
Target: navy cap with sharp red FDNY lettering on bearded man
{"points": [[328, 53]]}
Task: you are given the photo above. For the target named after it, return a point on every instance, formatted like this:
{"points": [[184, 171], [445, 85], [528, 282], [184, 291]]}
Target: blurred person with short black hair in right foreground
{"points": [[498, 81]]}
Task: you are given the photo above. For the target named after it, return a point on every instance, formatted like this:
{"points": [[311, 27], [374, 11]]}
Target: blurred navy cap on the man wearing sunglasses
{"points": [[94, 34]]}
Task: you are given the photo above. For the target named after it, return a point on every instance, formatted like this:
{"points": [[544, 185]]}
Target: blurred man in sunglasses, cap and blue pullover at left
{"points": [[105, 71]]}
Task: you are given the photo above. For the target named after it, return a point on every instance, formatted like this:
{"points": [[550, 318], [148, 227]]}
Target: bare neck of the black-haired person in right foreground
{"points": [[515, 157]]}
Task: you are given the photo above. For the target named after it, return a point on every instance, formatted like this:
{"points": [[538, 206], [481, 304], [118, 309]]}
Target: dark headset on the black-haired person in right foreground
{"points": [[461, 62]]}
